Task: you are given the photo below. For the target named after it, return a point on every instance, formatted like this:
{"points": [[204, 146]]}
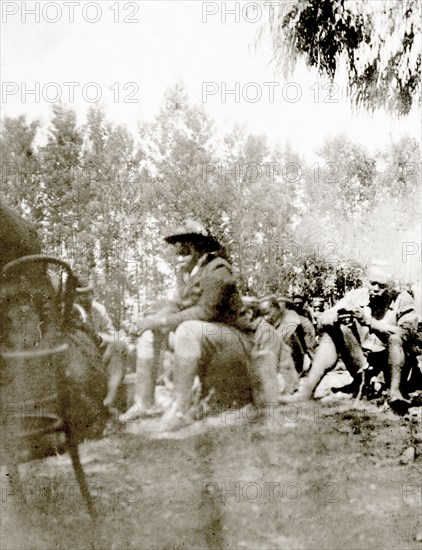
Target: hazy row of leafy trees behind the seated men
{"points": [[103, 199]]}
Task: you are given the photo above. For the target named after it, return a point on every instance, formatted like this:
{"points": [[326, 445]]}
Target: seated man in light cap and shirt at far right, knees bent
{"points": [[368, 326]]}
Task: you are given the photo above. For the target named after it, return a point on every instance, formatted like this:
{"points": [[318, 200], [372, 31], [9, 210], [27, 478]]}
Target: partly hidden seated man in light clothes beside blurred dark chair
{"points": [[111, 343]]}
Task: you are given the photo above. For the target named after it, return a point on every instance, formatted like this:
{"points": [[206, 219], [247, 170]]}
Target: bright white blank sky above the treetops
{"points": [[169, 42]]}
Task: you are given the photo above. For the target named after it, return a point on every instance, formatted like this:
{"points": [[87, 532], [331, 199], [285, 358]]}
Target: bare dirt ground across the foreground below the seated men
{"points": [[319, 476]]}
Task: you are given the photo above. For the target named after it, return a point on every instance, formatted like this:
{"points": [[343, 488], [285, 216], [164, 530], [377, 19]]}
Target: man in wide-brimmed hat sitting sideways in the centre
{"points": [[206, 317]]}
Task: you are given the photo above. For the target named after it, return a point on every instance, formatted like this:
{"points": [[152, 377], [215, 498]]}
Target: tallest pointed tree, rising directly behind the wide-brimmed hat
{"points": [[175, 149]]}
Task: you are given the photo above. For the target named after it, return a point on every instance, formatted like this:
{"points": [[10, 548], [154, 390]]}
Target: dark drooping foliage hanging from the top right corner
{"points": [[378, 43]]}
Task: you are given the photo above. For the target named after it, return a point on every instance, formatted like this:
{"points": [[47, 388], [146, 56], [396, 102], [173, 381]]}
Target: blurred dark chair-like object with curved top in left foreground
{"points": [[36, 300]]}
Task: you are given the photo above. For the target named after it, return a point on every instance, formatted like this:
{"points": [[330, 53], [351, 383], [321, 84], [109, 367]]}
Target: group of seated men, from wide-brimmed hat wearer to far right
{"points": [[249, 351]]}
